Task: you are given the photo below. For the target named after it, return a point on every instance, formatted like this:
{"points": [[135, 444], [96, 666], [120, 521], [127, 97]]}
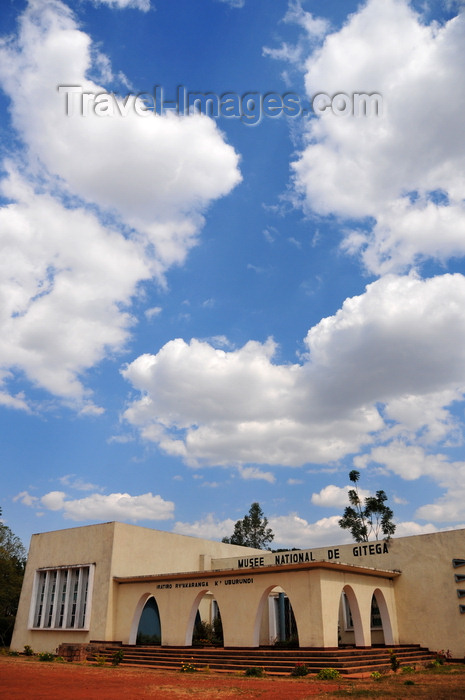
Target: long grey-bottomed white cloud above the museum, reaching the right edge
{"points": [[383, 349]]}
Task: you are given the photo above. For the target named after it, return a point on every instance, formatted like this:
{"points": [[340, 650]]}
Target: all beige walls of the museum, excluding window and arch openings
{"points": [[420, 605]]}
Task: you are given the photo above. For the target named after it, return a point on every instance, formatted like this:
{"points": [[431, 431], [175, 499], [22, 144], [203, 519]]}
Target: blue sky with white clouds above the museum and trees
{"points": [[198, 313]]}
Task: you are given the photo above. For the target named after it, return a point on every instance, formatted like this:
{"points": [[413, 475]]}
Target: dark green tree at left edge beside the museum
{"points": [[12, 564]]}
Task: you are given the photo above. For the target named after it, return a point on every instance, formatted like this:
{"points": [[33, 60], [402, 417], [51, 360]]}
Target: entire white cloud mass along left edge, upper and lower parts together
{"points": [[67, 275]]}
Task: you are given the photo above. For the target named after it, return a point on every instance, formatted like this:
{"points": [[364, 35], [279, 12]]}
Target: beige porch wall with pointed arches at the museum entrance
{"points": [[314, 596]]}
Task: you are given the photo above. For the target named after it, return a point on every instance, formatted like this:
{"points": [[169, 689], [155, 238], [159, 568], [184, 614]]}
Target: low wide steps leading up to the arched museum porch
{"points": [[347, 661]]}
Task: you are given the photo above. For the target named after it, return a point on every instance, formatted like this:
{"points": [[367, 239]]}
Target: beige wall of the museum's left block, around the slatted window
{"points": [[116, 549]]}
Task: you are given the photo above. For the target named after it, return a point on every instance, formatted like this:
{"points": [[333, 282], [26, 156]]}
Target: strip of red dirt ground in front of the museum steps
{"points": [[23, 678]]}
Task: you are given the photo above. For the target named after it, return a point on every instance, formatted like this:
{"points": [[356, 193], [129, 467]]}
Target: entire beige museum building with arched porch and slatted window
{"points": [[119, 582]]}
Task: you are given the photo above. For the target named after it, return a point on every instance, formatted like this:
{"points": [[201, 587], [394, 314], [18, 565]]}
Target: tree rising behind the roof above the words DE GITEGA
{"points": [[370, 518]]}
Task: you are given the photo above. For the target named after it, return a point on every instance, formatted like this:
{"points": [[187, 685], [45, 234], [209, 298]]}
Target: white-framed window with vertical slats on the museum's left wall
{"points": [[47, 618]]}
